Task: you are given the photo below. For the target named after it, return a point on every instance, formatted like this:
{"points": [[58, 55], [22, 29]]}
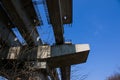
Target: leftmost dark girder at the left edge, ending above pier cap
{"points": [[5, 33]]}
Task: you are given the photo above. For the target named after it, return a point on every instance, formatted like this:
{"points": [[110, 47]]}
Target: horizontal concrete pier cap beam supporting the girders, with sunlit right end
{"points": [[55, 56]]}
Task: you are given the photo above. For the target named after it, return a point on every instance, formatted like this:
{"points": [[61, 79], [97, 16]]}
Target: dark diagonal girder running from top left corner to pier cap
{"points": [[20, 19]]}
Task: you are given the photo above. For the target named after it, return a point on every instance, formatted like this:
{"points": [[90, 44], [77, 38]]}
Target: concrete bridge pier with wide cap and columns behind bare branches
{"points": [[45, 58]]}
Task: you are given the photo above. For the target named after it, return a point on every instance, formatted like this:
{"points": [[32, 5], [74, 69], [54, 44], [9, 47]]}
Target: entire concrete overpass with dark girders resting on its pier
{"points": [[21, 14]]}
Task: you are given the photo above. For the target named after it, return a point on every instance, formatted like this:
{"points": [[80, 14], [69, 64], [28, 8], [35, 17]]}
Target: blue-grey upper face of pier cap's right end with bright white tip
{"points": [[60, 50]]}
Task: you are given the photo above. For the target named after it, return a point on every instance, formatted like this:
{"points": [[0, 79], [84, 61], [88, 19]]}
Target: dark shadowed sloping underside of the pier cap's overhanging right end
{"points": [[69, 59]]}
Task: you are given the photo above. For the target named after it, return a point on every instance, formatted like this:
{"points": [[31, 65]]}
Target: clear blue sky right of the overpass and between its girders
{"points": [[96, 22]]}
